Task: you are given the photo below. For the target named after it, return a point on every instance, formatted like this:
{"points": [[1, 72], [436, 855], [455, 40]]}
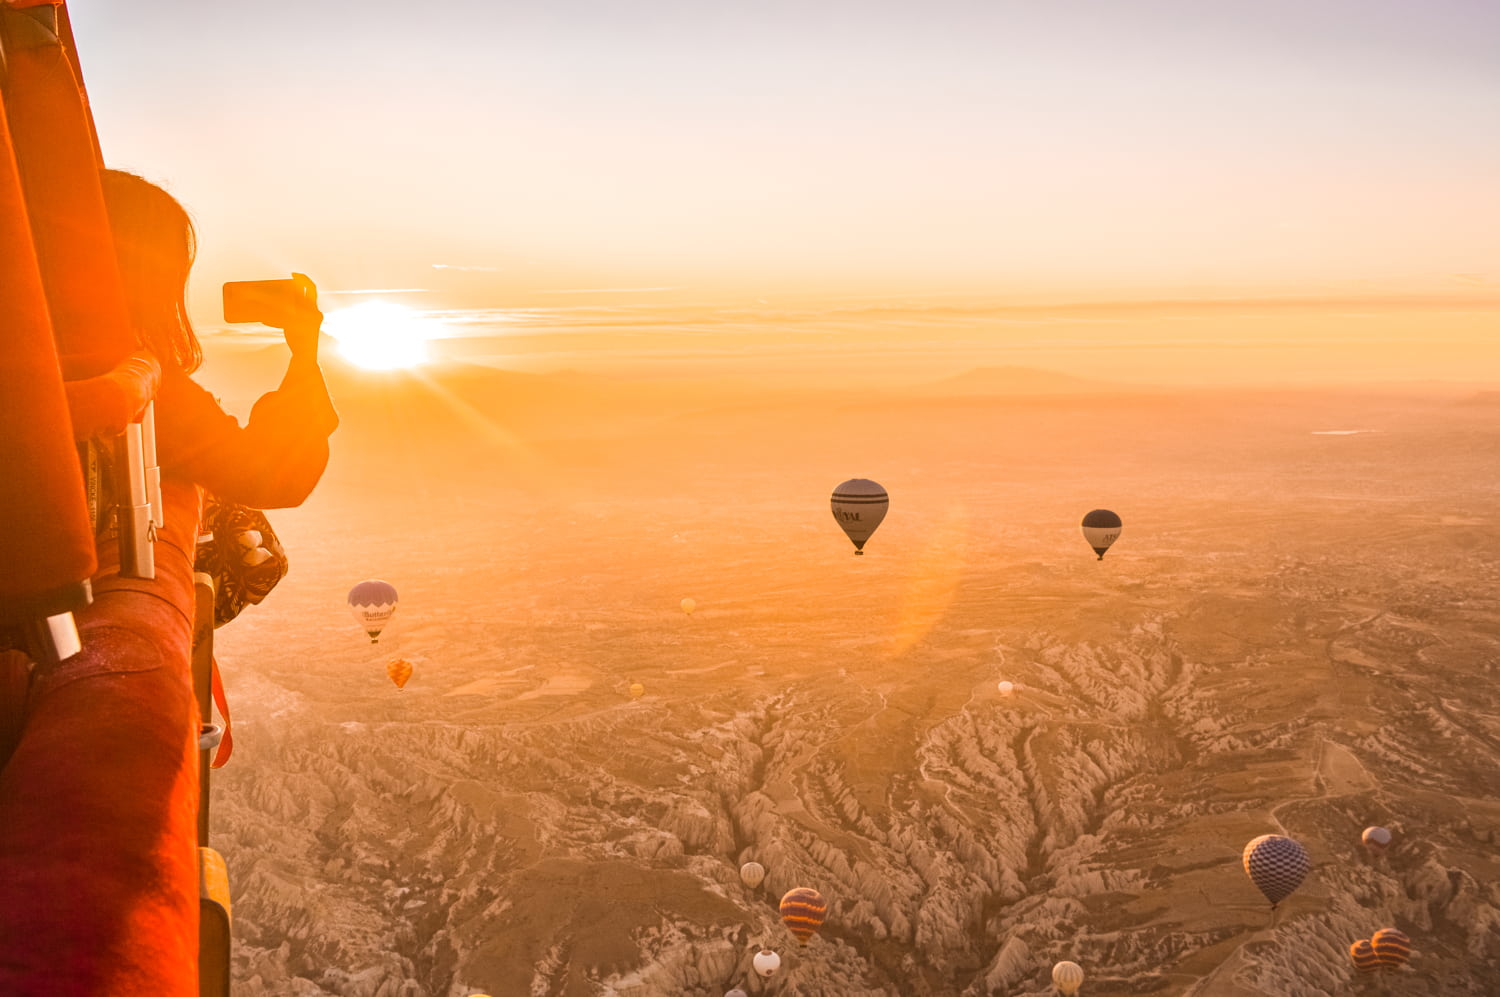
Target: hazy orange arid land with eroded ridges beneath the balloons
{"points": [[1298, 633]]}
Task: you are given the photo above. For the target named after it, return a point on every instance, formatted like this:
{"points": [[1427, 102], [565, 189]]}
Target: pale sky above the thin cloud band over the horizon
{"points": [[497, 155]]}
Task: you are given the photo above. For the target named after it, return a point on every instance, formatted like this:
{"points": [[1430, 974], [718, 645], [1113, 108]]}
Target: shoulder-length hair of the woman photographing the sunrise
{"points": [[155, 247]]}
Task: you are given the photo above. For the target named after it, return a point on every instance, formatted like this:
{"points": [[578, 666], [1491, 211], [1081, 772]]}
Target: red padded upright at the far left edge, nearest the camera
{"points": [[47, 542]]}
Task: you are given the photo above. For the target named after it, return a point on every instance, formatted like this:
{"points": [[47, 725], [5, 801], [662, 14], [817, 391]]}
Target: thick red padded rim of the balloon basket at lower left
{"points": [[100, 800]]}
